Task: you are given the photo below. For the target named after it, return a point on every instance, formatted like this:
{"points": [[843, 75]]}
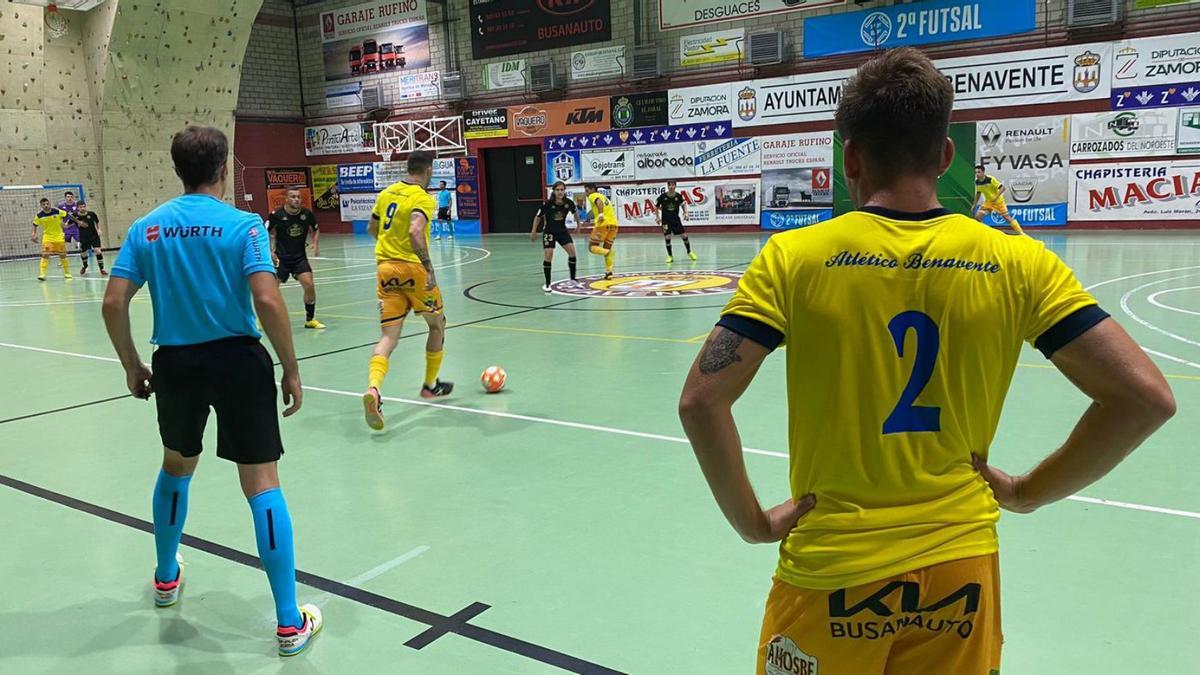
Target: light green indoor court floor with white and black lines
{"points": [[560, 525]]}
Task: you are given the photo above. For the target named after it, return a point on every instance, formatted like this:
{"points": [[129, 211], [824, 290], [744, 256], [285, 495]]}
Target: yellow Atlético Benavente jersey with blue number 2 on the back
{"points": [[903, 333]]}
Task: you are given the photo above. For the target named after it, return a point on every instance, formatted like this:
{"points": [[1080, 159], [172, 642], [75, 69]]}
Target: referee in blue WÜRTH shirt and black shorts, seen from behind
{"points": [[206, 262]]}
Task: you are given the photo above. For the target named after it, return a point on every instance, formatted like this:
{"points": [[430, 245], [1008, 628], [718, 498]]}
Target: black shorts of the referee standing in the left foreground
{"points": [[235, 378]]}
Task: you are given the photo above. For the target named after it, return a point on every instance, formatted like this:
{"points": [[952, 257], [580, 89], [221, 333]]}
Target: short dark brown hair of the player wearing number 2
{"points": [[897, 110]]}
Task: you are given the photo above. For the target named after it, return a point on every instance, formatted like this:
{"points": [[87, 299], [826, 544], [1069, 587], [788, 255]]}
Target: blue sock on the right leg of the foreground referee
{"points": [[273, 530]]}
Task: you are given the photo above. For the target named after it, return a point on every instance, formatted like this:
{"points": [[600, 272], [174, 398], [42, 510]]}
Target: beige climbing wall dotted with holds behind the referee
{"points": [[99, 106]]}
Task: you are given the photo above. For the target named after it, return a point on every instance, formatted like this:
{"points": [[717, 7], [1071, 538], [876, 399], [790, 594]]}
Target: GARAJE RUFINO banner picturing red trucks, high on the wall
{"points": [[375, 38]]}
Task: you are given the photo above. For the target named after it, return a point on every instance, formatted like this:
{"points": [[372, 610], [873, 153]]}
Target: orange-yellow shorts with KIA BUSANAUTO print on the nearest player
{"points": [[939, 619]]}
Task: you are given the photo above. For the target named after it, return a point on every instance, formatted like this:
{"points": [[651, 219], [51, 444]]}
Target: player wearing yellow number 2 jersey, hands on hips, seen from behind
{"points": [[904, 325]]}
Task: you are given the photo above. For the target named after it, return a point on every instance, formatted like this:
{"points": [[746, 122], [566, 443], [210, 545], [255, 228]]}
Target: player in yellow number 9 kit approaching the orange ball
{"points": [[400, 223]]}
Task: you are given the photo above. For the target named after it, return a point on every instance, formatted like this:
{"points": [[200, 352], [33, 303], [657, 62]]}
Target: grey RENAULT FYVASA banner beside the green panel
{"points": [[1030, 157]]}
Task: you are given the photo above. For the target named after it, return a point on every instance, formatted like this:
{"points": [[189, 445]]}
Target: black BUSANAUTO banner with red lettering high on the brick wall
{"points": [[502, 28]]}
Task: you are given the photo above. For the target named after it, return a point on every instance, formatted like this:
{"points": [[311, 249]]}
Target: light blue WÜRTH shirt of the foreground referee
{"points": [[197, 255]]}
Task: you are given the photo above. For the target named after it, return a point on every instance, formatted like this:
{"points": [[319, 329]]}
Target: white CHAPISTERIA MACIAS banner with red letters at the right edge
{"points": [[1160, 190]]}
